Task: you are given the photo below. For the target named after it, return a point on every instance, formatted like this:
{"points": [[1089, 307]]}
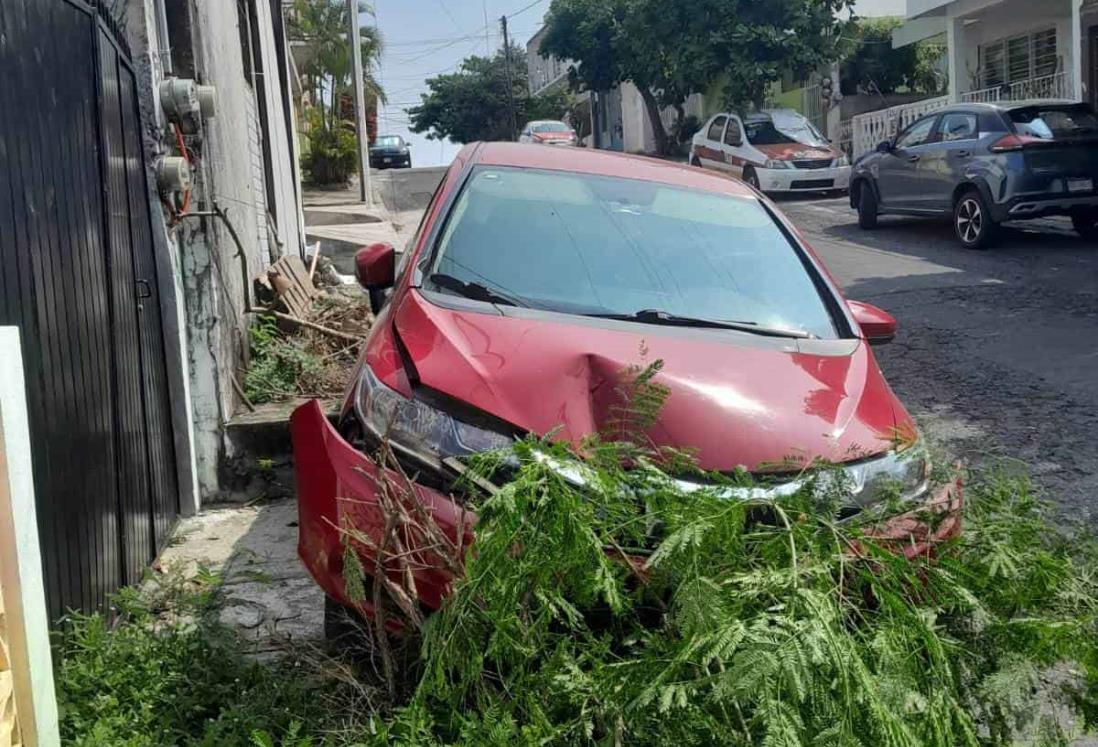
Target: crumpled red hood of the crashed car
{"points": [[734, 399]]}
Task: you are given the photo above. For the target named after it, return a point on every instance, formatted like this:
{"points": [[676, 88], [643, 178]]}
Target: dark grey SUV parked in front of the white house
{"points": [[985, 164]]}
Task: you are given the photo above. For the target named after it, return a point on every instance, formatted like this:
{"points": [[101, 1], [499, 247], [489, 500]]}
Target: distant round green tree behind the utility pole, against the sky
{"points": [[472, 104]]}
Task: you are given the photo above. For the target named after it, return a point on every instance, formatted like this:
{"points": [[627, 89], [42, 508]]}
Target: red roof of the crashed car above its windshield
{"points": [[607, 164]]}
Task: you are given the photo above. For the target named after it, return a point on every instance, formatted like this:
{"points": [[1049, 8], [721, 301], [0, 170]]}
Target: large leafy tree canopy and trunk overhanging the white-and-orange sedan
{"points": [[671, 49]]}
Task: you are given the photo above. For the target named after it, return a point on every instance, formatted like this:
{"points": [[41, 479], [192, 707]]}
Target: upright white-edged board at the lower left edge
{"points": [[28, 705]]}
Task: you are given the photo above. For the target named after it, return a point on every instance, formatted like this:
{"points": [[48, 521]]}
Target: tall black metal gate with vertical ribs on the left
{"points": [[79, 277]]}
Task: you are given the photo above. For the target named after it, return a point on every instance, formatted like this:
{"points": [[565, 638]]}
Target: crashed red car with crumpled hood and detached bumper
{"points": [[537, 278]]}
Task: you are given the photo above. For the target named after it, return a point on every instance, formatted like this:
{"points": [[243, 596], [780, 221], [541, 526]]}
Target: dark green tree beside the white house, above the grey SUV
{"points": [[876, 65]]}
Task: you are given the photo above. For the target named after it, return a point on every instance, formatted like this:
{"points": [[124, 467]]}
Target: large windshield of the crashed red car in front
{"points": [[587, 244]]}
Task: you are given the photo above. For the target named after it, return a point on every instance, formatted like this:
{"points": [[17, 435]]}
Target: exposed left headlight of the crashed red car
{"points": [[417, 428]]}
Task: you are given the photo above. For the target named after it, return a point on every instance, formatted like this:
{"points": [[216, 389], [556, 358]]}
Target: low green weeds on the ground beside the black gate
{"points": [[165, 672]]}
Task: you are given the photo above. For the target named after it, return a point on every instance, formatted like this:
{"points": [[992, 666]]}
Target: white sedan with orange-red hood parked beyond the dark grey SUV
{"points": [[775, 151]]}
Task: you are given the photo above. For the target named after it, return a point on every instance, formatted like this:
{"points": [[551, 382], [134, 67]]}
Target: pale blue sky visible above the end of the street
{"points": [[425, 38]]}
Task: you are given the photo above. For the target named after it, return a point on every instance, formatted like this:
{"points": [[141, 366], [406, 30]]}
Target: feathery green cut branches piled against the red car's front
{"points": [[749, 623]]}
